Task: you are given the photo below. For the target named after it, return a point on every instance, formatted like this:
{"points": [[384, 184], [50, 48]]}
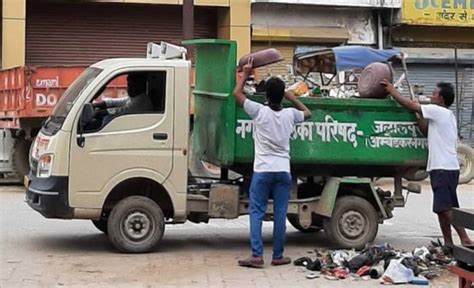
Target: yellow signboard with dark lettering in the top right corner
{"points": [[438, 12]]}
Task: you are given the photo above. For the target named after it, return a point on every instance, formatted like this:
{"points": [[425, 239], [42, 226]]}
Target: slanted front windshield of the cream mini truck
{"points": [[72, 93]]}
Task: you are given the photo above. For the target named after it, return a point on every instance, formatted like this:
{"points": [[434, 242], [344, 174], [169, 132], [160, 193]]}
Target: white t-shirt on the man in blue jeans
{"points": [[272, 132]]}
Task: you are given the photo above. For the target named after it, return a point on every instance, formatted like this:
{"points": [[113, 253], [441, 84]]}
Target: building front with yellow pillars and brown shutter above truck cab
{"points": [[44, 32]]}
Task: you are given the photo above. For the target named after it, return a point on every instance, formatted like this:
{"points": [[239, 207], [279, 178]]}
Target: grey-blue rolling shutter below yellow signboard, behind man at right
{"points": [[430, 74]]}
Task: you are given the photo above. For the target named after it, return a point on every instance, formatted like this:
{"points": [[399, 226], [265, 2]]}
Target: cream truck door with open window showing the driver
{"points": [[132, 137]]}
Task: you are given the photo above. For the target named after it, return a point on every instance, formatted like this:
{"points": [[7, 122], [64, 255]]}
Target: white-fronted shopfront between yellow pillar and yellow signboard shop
{"points": [[289, 24]]}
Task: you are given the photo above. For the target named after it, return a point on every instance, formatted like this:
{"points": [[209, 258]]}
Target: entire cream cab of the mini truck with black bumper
{"points": [[84, 160]]}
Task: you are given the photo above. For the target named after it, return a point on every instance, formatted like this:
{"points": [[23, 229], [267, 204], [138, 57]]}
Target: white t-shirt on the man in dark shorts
{"points": [[442, 138]]}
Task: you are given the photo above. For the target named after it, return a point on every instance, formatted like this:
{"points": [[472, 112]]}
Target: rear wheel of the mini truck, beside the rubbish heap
{"points": [[353, 224]]}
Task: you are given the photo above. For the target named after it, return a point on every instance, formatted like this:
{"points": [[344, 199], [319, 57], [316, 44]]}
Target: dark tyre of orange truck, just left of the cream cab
{"points": [[19, 158]]}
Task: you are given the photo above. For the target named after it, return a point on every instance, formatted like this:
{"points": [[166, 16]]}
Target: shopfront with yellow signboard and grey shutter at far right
{"points": [[438, 37]]}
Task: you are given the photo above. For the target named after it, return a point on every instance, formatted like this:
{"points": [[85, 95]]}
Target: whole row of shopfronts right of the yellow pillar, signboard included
{"points": [[436, 35]]}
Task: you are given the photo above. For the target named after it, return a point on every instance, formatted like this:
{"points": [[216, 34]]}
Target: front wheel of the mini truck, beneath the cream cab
{"points": [[136, 225]]}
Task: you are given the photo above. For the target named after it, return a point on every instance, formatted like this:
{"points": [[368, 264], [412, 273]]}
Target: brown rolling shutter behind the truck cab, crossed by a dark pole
{"points": [[83, 33]]}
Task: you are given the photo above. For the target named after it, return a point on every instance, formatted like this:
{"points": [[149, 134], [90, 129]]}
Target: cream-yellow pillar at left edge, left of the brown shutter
{"points": [[13, 33]]}
